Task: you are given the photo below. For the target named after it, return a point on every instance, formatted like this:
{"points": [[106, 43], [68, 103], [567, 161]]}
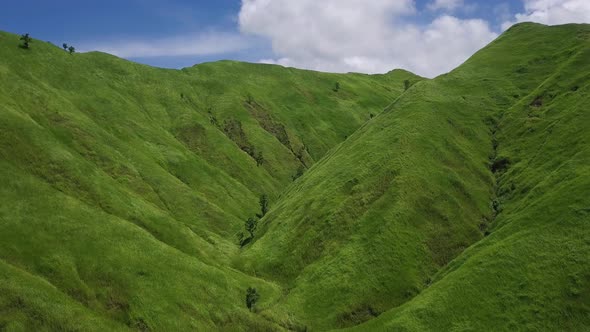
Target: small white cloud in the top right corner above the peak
{"points": [[553, 12]]}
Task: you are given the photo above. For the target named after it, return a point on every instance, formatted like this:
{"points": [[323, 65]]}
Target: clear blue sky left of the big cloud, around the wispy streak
{"points": [[100, 22]]}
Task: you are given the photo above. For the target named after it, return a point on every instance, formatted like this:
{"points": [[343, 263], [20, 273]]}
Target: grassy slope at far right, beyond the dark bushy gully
{"points": [[532, 272]]}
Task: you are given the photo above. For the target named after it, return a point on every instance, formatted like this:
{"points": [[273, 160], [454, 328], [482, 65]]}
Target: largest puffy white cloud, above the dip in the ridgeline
{"points": [[362, 36]]}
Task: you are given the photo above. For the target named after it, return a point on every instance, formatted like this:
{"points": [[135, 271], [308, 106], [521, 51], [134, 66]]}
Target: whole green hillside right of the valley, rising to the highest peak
{"points": [[369, 226]]}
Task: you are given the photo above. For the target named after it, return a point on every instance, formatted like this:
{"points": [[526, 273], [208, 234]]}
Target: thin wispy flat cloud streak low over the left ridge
{"points": [[210, 43]]}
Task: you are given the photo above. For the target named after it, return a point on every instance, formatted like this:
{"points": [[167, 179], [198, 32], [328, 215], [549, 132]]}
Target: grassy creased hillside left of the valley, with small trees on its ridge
{"points": [[123, 186]]}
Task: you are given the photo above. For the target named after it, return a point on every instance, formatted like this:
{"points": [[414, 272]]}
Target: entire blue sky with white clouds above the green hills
{"points": [[329, 35]]}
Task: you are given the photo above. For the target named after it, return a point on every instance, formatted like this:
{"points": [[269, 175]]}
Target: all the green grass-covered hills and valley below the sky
{"points": [[464, 206]]}
